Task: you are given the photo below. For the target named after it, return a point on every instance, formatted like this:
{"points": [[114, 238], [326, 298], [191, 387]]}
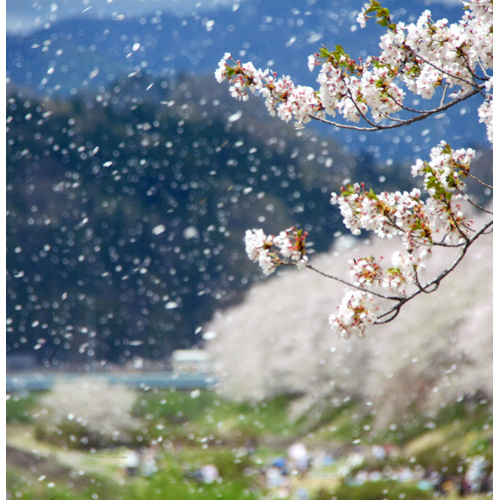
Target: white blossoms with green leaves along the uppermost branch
{"points": [[424, 57]]}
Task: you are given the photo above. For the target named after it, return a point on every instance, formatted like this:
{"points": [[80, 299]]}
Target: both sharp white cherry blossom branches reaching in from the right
{"points": [[423, 58]]}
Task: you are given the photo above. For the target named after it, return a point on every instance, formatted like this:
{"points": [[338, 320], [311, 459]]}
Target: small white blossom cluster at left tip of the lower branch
{"points": [[271, 251]]}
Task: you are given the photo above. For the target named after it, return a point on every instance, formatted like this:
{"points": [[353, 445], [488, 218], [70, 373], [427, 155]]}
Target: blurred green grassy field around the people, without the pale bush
{"points": [[196, 428]]}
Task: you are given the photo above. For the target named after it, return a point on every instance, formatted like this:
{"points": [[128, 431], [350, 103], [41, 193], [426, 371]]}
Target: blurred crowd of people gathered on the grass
{"points": [[282, 475]]}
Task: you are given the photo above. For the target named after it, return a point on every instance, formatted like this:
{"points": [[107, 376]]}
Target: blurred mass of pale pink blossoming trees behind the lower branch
{"points": [[438, 349]]}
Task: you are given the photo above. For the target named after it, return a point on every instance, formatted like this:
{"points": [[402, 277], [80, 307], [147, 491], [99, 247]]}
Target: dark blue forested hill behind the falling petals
{"points": [[126, 218]]}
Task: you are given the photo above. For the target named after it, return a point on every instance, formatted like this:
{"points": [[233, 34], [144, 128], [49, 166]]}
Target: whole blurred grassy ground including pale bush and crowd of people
{"points": [[87, 440]]}
